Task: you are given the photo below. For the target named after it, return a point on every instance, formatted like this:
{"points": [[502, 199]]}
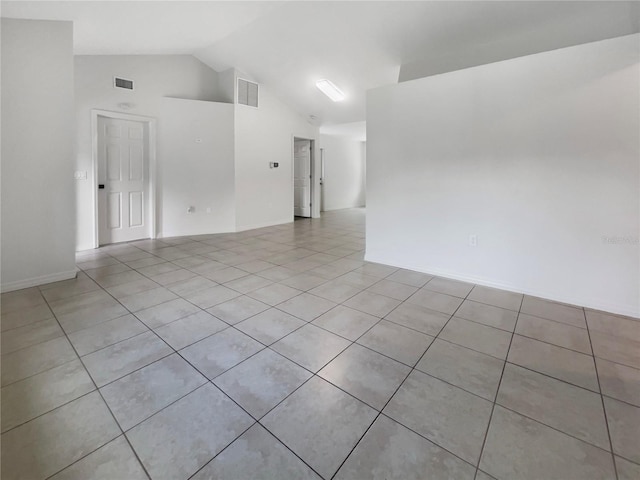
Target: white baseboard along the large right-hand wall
{"points": [[610, 307]]}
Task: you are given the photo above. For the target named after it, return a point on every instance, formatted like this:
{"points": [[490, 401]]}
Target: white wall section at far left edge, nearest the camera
{"points": [[37, 153]]}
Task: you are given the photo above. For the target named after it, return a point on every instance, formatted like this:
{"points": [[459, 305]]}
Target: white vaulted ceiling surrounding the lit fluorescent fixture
{"points": [[359, 45]]}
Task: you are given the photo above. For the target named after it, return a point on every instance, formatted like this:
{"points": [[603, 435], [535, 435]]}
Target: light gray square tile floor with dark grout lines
{"points": [[281, 353]]}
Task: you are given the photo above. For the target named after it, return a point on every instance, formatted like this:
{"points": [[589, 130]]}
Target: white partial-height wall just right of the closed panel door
{"points": [[196, 167]]}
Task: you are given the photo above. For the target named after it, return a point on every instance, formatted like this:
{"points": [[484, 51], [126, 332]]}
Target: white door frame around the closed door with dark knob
{"points": [[151, 149]]}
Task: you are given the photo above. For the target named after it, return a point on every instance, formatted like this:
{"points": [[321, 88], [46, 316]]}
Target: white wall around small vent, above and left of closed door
{"points": [[155, 77]]}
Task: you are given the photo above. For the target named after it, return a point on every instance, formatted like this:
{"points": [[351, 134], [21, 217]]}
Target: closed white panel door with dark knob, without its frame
{"points": [[123, 170]]}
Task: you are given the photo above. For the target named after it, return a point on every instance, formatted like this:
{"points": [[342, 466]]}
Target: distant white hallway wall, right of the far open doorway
{"points": [[344, 172]]}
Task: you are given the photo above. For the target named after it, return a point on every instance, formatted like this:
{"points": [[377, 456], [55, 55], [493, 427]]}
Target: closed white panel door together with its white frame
{"points": [[123, 177]]}
